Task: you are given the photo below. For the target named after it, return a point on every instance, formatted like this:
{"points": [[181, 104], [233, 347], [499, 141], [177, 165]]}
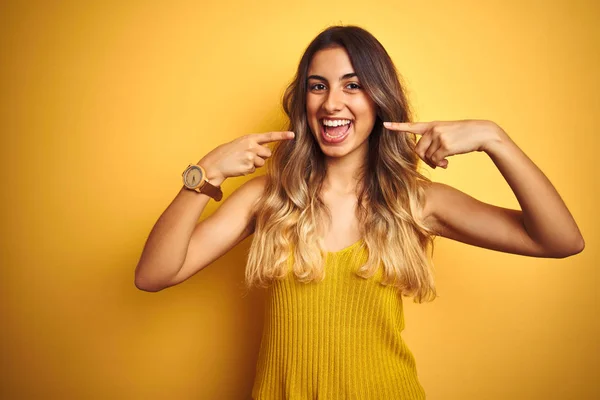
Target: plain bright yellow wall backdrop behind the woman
{"points": [[104, 104]]}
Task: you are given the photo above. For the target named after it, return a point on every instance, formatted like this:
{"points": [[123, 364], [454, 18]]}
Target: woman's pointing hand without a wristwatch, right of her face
{"points": [[441, 139]]}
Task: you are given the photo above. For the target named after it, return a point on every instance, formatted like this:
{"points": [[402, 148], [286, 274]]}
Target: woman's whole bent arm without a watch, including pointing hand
{"points": [[544, 227]]}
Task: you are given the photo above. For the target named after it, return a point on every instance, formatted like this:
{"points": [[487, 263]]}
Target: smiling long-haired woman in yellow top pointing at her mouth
{"points": [[343, 219]]}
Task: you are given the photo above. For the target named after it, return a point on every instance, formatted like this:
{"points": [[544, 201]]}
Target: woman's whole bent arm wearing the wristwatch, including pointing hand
{"points": [[178, 246]]}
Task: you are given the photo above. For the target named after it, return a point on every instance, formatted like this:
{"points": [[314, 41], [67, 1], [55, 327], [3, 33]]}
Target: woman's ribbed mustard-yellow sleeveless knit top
{"points": [[335, 339]]}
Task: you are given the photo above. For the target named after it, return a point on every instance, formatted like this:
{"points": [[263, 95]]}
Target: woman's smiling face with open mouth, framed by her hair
{"points": [[340, 113]]}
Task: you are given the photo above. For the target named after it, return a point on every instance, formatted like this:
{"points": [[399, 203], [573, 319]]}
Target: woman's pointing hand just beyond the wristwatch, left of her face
{"points": [[241, 156]]}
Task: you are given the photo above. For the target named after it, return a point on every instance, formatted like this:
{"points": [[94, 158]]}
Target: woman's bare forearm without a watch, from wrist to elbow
{"points": [[546, 218]]}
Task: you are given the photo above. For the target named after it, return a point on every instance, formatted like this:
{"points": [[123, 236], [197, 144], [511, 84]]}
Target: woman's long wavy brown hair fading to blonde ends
{"points": [[290, 216]]}
